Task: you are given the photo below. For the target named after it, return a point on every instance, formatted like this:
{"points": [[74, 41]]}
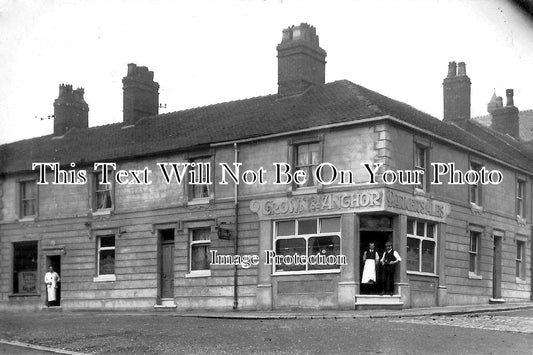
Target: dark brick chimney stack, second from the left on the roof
{"points": [[141, 94]]}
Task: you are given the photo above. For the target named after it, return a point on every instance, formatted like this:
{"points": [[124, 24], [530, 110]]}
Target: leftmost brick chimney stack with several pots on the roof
{"points": [[70, 110]]}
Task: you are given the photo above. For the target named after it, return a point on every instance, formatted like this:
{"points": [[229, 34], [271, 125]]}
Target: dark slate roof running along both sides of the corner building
{"points": [[336, 102]]}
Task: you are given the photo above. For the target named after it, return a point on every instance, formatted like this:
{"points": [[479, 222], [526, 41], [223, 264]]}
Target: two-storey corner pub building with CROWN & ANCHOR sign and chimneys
{"points": [[125, 246]]}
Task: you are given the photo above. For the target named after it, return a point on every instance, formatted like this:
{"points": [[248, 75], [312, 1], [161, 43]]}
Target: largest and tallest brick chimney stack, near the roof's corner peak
{"points": [[301, 61]]}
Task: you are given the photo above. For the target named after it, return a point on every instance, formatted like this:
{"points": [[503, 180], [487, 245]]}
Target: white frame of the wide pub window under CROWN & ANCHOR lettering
{"points": [[306, 237]]}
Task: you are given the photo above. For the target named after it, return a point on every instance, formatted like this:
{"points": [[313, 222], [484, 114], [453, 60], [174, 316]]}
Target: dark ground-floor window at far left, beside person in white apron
{"points": [[25, 261]]}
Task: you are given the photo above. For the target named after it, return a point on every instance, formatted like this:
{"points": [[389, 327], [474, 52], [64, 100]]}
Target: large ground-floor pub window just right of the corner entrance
{"points": [[421, 246]]}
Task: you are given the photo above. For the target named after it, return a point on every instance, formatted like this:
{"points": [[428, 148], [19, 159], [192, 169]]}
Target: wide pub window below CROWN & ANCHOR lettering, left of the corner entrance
{"points": [[318, 239]]}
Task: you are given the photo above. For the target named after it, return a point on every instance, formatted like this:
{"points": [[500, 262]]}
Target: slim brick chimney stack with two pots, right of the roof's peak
{"points": [[456, 93]]}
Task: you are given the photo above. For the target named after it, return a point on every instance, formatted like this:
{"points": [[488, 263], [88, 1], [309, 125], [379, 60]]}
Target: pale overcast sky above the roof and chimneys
{"points": [[205, 52]]}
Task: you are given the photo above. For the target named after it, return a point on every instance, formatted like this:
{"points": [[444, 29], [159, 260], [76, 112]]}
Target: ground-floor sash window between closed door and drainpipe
{"points": [[200, 250]]}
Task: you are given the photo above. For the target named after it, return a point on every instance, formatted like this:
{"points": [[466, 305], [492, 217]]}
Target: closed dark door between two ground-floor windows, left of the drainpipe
{"points": [[166, 262]]}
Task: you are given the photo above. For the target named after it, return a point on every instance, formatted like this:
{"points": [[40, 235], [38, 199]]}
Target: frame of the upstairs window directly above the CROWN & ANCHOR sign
{"points": [[294, 144]]}
